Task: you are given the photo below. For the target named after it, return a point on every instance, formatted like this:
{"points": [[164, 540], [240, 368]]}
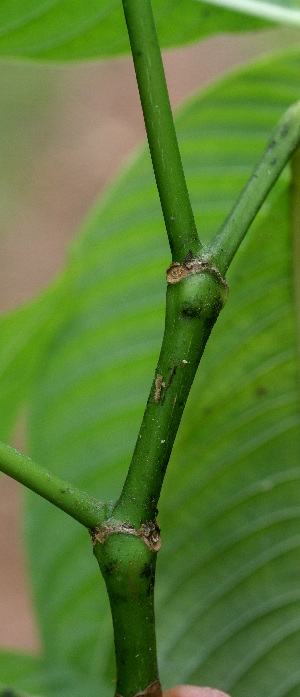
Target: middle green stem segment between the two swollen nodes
{"points": [[193, 305]]}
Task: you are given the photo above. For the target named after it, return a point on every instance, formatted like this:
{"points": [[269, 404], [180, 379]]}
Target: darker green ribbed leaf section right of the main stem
{"points": [[232, 602]]}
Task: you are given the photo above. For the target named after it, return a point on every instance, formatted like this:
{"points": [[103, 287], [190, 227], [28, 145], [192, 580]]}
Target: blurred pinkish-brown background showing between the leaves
{"points": [[64, 132]]}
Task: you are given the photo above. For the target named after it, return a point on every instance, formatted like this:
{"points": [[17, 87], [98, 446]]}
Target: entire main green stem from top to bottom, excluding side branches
{"points": [[193, 304]]}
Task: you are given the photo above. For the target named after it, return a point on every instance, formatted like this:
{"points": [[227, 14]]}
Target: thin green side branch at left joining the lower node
{"points": [[78, 504]]}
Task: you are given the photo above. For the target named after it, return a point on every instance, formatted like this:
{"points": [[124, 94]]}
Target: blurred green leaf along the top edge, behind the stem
{"points": [[66, 30]]}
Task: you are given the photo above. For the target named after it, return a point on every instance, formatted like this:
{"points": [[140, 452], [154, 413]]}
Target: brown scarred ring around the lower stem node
{"points": [[149, 533]]}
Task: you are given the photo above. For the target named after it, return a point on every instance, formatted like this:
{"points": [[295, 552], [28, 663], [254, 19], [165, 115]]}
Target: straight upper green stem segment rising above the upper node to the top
{"points": [[167, 165]]}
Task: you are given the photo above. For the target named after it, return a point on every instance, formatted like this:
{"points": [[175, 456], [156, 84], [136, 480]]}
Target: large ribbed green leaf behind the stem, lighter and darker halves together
{"points": [[228, 601]]}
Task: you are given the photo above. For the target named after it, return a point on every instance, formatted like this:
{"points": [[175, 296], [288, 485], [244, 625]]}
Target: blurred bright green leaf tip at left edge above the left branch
{"points": [[23, 336]]}
